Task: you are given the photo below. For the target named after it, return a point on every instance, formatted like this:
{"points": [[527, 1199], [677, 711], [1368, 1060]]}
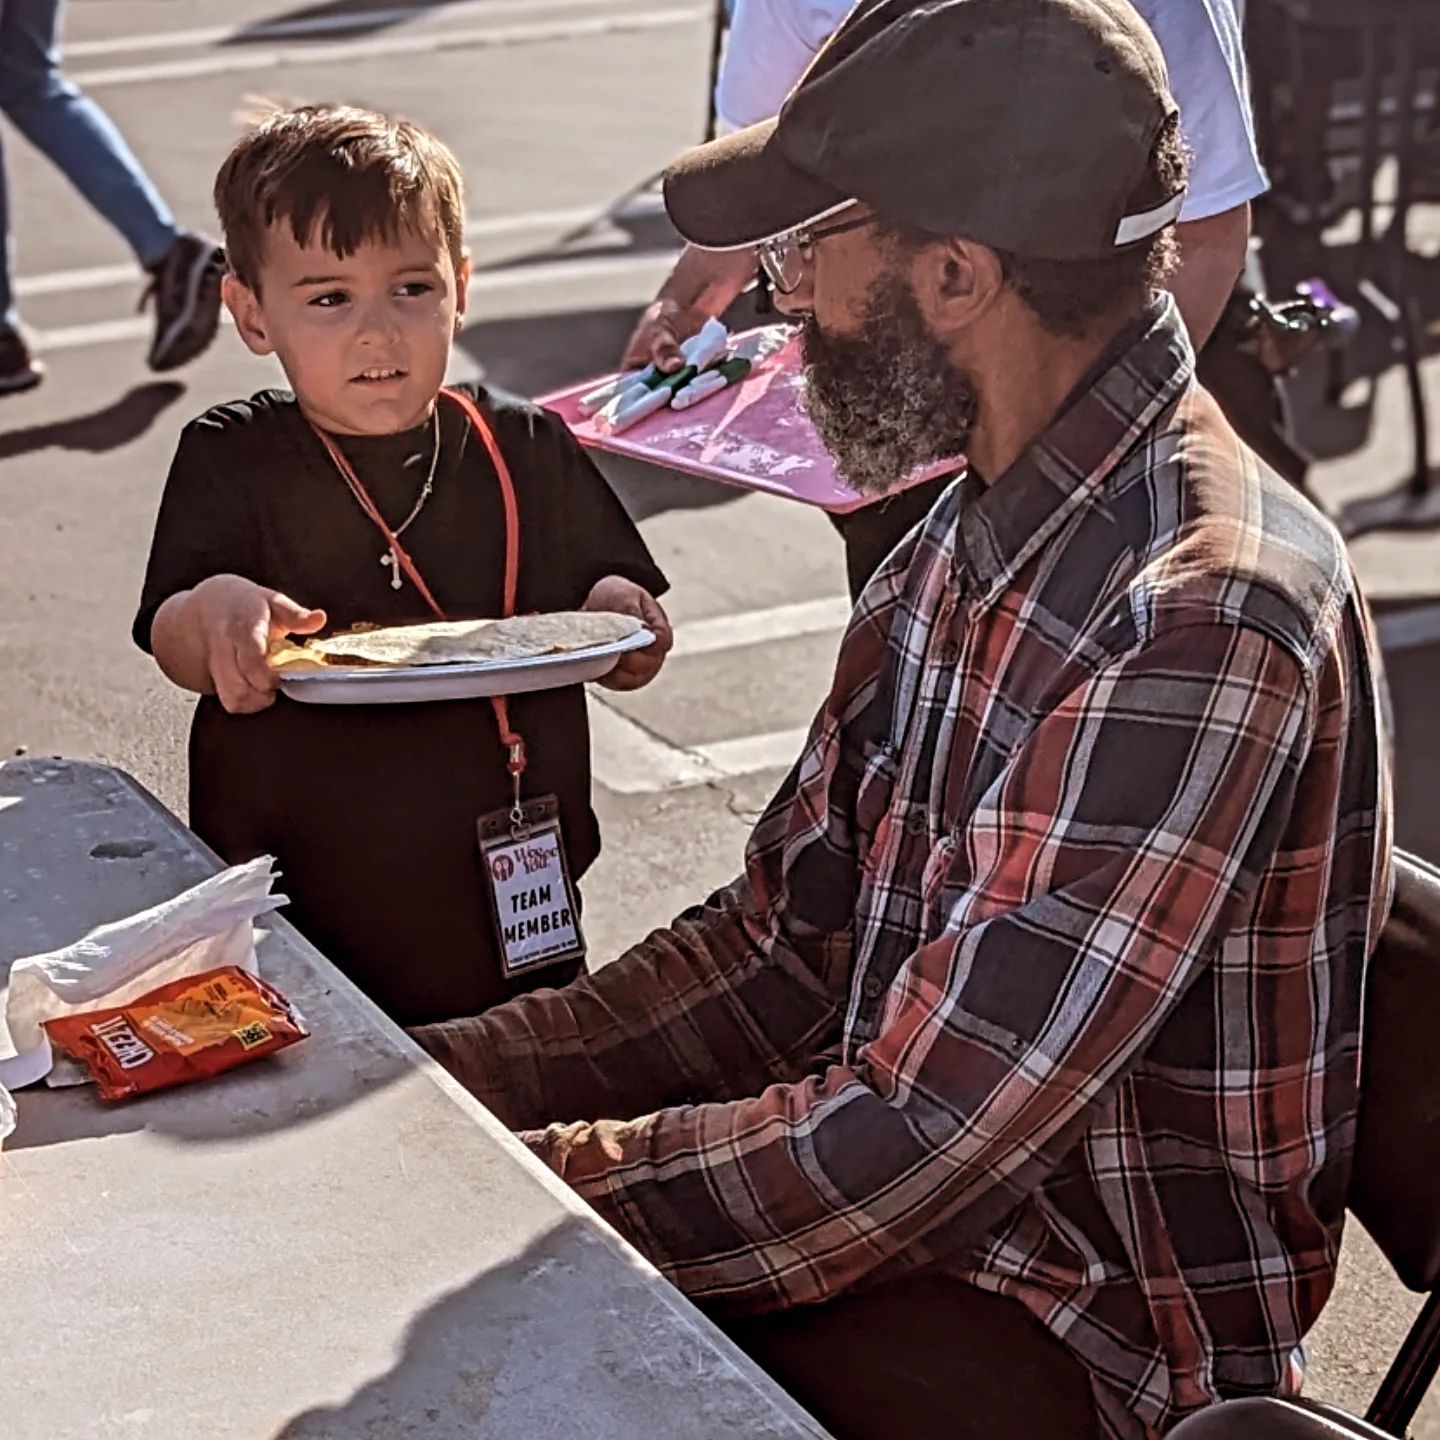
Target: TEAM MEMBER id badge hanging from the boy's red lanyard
{"points": [[529, 881]]}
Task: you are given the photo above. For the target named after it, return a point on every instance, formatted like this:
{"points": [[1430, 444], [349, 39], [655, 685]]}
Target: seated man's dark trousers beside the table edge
{"points": [[924, 1359]]}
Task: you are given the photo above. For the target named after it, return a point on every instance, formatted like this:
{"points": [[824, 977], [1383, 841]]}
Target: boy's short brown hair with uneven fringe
{"points": [[342, 175]]}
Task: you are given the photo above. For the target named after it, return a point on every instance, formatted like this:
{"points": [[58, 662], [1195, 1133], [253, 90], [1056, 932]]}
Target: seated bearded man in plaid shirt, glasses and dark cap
{"points": [[1012, 1088]]}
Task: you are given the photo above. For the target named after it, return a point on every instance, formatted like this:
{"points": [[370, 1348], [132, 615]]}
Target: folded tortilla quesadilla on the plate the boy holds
{"points": [[454, 643]]}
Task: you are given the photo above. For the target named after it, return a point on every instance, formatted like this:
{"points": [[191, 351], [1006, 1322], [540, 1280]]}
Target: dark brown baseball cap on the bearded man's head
{"points": [[1025, 125]]}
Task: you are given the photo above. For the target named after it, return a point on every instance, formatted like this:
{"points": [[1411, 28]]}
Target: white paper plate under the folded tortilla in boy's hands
{"points": [[408, 685]]}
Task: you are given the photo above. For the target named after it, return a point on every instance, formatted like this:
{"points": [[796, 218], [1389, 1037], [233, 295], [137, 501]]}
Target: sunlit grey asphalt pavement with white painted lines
{"points": [[561, 112]]}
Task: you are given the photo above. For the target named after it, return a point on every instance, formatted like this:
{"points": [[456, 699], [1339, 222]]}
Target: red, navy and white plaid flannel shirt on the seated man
{"points": [[1046, 963]]}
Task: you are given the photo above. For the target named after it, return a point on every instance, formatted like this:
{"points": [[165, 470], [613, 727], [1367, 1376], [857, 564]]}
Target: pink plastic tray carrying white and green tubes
{"points": [[754, 436]]}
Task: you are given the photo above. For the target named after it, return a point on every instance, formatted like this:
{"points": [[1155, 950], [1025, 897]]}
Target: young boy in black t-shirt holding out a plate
{"points": [[345, 233]]}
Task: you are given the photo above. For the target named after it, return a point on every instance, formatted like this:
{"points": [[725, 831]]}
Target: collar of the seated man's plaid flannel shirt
{"points": [[1004, 525]]}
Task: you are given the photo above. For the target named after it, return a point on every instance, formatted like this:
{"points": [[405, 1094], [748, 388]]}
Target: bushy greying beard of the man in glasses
{"points": [[888, 401]]}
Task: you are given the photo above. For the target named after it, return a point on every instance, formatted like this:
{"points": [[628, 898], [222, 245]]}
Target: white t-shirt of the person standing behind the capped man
{"points": [[773, 42]]}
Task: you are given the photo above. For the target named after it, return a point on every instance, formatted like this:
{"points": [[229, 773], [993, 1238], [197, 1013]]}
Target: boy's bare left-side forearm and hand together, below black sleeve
{"points": [[214, 640]]}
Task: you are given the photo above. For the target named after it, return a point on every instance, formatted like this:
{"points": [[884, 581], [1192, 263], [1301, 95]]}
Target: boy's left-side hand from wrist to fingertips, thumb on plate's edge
{"points": [[235, 621]]}
